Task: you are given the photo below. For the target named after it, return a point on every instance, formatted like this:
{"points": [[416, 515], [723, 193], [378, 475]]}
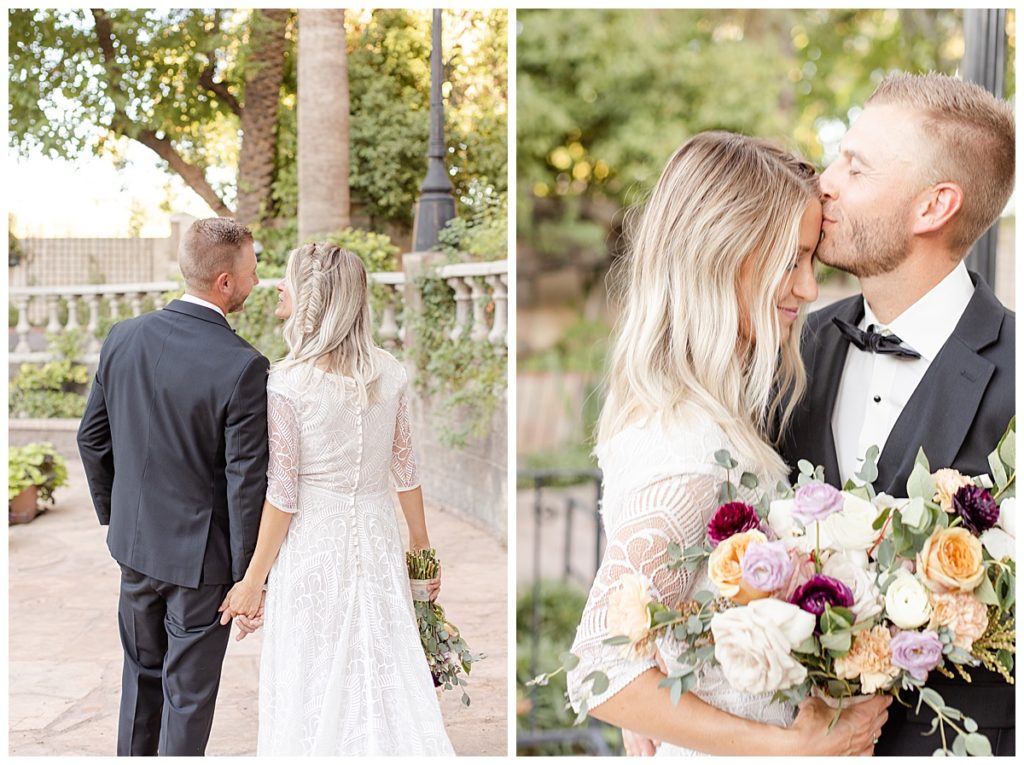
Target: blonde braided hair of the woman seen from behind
{"points": [[330, 321]]}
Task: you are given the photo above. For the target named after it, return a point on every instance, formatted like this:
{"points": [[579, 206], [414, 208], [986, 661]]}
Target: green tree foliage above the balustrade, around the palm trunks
{"points": [[175, 80]]}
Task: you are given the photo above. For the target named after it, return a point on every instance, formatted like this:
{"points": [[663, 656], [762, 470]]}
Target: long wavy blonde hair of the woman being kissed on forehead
{"points": [[723, 200]]}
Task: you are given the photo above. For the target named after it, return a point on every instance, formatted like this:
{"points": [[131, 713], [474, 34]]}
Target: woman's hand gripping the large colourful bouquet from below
{"points": [[855, 735]]}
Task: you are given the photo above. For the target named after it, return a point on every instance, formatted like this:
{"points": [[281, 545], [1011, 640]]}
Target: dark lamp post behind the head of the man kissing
{"points": [[986, 64]]}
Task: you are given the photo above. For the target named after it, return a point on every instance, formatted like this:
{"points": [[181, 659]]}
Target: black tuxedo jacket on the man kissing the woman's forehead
{"points": [[958, 413]]}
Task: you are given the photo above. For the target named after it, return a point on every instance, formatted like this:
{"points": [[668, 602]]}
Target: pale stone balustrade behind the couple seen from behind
{"points": [[481, 292]]}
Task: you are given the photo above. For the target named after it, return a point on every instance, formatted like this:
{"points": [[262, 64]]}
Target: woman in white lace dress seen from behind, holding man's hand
{"points": [[343, 670]]}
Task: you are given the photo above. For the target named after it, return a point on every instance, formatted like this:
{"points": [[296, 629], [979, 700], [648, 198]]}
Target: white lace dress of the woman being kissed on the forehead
{"points": [[661, 486]]}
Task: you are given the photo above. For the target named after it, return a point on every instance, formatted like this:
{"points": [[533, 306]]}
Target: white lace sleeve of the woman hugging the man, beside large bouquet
{"points": [[673, 509]]}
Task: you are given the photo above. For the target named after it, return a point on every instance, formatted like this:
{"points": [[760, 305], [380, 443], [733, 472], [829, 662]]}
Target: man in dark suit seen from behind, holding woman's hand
{"points": [[175, 445]]}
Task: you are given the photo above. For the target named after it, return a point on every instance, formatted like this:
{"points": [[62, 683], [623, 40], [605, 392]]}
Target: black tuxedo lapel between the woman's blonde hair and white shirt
{"points": [[827, 371]]}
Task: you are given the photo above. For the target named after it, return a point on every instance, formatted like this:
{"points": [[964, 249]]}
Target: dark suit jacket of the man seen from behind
{"points": [[175, 445]]}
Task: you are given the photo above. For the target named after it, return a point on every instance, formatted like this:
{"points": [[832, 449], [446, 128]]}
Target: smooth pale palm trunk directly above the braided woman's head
{"points": [[323, 118]]}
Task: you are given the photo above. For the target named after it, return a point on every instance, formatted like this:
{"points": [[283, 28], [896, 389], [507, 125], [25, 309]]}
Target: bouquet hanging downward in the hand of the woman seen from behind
{"points": [[448, 655]]}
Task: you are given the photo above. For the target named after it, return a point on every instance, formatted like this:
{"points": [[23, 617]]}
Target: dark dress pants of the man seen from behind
{"points": [[175, 647]]}
